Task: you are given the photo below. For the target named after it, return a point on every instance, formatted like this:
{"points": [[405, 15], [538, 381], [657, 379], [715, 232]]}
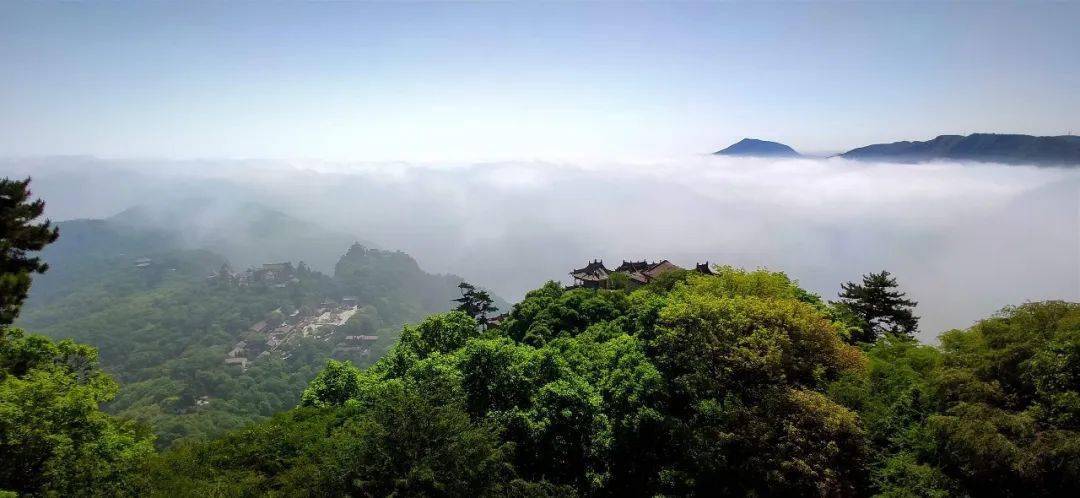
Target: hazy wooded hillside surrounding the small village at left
{"points": [[164, 330]]}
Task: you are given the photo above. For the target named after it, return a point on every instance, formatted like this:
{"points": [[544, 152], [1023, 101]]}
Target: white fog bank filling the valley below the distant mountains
{"points": [[964, 239]]}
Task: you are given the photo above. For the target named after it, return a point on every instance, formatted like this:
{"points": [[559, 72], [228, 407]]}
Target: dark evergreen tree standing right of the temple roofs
{"points": [[881, 307]]}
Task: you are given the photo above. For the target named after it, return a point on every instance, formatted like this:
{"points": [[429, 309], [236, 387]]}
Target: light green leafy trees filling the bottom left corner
{"points": [[53, 437]]}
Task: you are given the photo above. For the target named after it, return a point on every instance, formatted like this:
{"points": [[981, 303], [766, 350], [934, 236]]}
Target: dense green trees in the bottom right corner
{"points": [[1009, 392]]}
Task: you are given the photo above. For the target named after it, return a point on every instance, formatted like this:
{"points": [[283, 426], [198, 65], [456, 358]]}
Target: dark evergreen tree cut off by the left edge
{"points": [[19, 236]]}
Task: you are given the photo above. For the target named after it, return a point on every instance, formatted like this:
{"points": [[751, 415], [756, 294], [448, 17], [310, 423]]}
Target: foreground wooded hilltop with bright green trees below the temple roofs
{"points": [[739, 384]]}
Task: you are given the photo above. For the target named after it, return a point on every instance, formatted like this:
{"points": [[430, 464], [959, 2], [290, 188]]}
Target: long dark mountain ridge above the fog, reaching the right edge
{"points": [[988, 147]]}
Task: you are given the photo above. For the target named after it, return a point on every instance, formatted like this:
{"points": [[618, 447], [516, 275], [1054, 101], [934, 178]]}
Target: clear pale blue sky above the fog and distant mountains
{"points": [[492, 82]]}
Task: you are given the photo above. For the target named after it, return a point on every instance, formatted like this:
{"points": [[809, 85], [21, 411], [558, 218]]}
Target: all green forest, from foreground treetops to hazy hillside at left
{"points": [[733, 384]]}
